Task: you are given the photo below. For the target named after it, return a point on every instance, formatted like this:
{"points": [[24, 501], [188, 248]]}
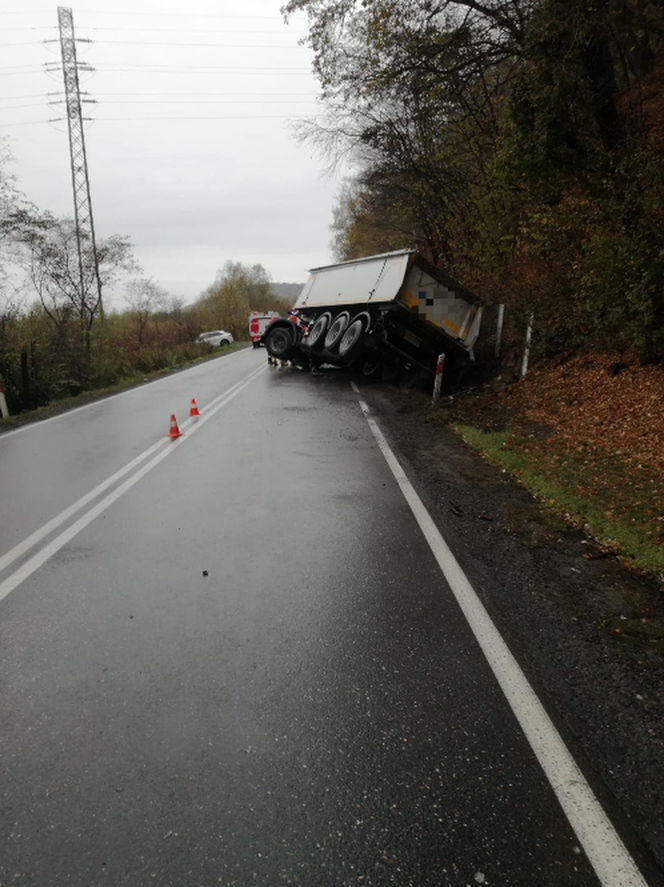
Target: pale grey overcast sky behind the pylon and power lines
{"points": [[190, 193]]}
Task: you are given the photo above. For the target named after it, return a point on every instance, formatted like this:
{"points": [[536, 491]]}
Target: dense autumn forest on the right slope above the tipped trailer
{"points": [[517, 143]]}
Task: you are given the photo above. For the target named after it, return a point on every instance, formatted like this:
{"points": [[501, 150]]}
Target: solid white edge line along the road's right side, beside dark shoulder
{"points": [[604, 848]]}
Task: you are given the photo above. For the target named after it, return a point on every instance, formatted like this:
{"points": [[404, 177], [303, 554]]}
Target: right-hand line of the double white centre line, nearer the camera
{"points": [[40, 558]]}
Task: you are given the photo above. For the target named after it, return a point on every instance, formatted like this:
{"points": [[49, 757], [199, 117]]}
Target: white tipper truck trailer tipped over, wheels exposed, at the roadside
{"points": [[390, 314]]}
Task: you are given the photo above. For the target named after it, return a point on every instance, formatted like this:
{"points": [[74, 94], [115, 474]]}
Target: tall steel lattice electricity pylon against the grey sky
{"points": [[83, 218]]}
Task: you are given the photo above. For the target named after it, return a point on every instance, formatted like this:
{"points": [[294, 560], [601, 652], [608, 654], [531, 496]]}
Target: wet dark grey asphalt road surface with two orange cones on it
{"points": [[248, 669]]}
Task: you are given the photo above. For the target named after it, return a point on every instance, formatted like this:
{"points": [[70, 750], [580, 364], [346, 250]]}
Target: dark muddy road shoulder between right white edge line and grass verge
{"points": [[559, 607]]}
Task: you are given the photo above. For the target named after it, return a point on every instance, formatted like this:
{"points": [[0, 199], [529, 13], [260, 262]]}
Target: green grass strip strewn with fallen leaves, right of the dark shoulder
{"points": [[620, 504]]}
